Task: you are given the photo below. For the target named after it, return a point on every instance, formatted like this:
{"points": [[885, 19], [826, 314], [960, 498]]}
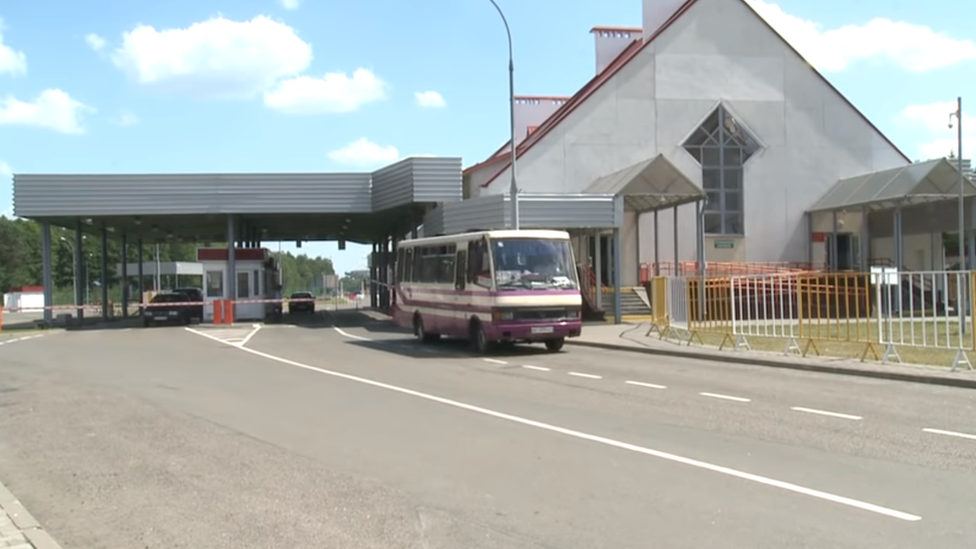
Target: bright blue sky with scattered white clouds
{"points": [[114, 86]]}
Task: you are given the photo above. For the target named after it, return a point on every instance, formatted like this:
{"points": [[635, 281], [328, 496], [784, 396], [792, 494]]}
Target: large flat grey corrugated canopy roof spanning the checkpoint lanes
{"points": [[357, 207]]}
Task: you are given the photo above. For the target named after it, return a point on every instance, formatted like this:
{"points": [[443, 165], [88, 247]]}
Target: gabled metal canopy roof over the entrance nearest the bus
{"points": [[650, 185]]}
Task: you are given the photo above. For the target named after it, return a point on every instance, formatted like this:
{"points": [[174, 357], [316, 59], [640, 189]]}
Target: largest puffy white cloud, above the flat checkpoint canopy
{"points": [[217, 58]]}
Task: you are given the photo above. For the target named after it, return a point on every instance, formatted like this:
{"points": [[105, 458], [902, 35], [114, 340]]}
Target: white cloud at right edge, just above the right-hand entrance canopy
{"points": [[932, 124]]}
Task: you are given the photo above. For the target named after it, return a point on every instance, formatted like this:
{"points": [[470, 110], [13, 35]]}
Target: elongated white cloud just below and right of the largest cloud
{"points": [[334, 93]]}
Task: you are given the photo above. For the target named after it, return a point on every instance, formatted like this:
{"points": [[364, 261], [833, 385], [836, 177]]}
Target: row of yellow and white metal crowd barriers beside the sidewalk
{"points": [[879, 313]]}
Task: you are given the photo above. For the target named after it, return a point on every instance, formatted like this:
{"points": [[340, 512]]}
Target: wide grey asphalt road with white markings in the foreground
{"points": [[360, 437]]}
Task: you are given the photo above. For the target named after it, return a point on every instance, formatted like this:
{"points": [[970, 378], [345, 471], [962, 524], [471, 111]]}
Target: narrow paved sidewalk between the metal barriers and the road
{"points": [[633, 338]]}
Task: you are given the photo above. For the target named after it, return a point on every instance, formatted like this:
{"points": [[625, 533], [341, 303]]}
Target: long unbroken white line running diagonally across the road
{"points": [[797, 489]]}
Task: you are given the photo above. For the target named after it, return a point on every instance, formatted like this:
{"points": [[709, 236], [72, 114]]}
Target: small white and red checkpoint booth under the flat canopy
{"points": [[256, 276]]}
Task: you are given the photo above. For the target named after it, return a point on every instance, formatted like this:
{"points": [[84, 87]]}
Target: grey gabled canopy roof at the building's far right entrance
{"points": [[929, 181]]}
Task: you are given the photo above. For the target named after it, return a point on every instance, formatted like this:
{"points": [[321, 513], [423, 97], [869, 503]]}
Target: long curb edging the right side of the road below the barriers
{"points": [[757, 361]]}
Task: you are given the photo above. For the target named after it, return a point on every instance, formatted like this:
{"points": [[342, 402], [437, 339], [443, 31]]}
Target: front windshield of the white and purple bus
{"points": [[533, 264]]}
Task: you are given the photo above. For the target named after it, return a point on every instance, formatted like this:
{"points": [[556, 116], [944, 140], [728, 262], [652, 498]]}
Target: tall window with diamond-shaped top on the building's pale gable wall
{"points": [[722, 146]]}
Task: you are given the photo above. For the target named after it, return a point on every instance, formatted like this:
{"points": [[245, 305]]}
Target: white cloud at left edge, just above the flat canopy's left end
{"points": [[52, 109]]}
